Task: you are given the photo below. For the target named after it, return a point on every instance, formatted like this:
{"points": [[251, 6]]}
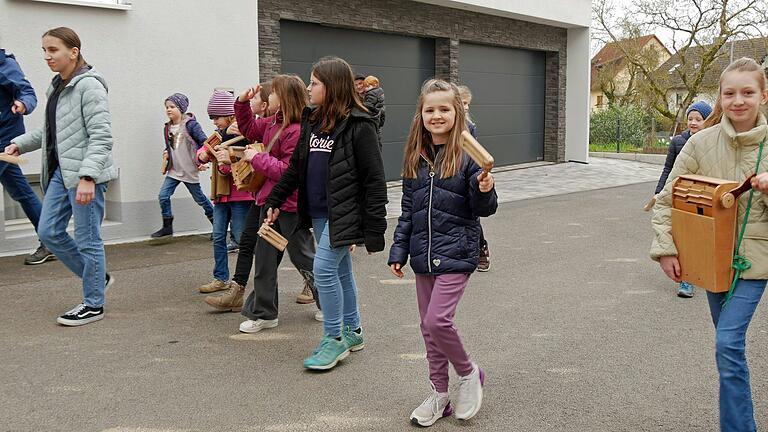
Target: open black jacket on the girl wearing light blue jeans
{"points": [[356, 189]]}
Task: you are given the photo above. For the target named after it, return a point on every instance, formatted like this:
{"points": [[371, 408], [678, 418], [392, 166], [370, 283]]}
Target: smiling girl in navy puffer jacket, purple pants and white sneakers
{"points": [[444, 193]]}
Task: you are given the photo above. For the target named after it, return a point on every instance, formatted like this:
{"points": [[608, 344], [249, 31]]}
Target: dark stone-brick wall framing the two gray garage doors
{"points": [[447, 25]]}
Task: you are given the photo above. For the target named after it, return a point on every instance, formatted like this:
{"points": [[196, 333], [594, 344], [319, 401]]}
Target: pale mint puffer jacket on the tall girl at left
{"points": [[83, 132]]}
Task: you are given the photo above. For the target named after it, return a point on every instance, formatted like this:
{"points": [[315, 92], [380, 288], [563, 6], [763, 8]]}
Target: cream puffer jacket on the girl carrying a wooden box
{"points": [[719, 151]]}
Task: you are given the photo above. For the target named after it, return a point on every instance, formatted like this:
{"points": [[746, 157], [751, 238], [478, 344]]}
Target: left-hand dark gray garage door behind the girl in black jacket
{"points": [[401, 63]]}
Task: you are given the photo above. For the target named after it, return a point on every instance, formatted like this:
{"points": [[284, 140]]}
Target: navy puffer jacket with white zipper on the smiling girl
{"points": [[439, 226]]}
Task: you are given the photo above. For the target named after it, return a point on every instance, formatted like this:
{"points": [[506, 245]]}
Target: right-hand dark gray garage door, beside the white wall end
{"points": [[508, 100]]}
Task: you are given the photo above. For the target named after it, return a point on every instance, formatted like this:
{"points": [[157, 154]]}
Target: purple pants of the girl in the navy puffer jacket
{"points": [[438, 297]]}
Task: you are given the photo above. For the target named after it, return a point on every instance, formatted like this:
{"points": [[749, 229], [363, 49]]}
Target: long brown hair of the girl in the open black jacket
{"points": [[340, 95]]}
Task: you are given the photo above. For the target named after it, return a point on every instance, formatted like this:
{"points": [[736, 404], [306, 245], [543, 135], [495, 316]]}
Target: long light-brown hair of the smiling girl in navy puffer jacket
{"points": [[419, 138]]}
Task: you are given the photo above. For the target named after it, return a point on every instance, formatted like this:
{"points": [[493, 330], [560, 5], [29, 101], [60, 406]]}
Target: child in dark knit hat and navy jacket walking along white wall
{"points": [[183, 137]]}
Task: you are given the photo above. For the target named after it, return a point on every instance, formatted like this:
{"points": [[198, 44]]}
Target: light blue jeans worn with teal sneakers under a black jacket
{"points": [[335, 282]]}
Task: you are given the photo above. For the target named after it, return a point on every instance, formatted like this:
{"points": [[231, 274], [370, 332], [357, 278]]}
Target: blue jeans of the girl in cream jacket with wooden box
{"points": [[731, 322]]}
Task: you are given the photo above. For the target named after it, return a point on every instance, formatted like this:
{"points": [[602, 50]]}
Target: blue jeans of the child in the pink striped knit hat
{"points": [[226, 214]]}
